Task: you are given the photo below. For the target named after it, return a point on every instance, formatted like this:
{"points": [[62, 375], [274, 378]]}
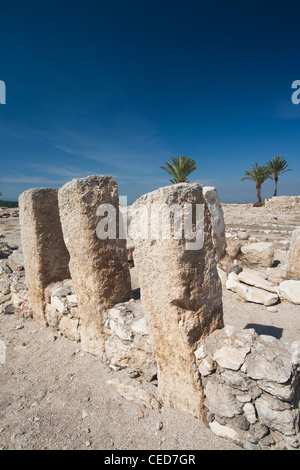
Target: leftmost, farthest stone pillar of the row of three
{"points": [[46, 257]]}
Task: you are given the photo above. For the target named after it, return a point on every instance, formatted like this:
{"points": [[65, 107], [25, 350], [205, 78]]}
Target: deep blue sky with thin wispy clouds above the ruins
{"points": [[119, 87]]}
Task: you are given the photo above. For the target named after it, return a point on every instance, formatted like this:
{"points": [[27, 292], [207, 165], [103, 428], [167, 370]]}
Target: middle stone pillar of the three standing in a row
{"points": [[99, 267]]}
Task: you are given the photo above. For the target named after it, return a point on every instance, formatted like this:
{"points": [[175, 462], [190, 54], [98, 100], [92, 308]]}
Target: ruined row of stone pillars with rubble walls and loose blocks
{"points": [[170, 330]]}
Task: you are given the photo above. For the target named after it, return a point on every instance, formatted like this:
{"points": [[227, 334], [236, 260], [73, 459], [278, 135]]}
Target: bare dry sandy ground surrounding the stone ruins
{"points": [[53, 396]]}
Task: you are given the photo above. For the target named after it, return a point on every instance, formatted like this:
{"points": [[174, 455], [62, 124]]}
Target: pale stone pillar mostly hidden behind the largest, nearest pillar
{"points": [[218, 225]]}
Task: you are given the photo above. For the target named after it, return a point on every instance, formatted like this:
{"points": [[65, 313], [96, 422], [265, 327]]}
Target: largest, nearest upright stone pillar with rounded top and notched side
{"points": [[181, 292]]}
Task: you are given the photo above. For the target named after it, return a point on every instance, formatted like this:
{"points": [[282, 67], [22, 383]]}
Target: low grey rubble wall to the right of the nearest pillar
{"points": [[251, 388]]}
